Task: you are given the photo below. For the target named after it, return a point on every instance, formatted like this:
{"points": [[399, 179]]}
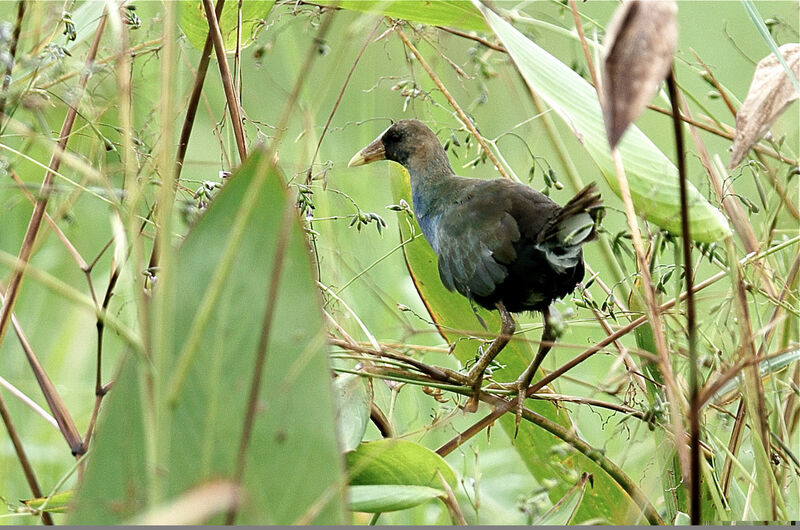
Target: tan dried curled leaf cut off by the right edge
{"points": [[771, 91]]}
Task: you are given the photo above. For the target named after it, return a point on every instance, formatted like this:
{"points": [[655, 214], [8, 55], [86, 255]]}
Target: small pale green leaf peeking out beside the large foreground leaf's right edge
{"points": [[353, 397]]}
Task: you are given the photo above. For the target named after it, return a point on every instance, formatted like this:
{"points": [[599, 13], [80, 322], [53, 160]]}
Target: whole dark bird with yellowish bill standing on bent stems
{"points": [[501, 244]]}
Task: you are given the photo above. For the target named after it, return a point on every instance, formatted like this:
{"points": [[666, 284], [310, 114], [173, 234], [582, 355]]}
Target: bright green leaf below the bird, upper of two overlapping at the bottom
{"points": [[398, 462]]}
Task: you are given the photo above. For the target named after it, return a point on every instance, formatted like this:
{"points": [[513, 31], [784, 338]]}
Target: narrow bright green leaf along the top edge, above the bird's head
{"points": [[455, 13]]}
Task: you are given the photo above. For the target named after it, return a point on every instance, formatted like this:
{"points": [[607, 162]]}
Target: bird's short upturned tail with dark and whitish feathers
{"points": [[573, 225]]}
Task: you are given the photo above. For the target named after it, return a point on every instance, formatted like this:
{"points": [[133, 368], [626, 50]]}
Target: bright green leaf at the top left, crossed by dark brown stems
{"points": [[194, 25]]}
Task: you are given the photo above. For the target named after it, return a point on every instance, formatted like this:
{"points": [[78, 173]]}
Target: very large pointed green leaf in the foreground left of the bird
{"points": [[151, 449]]}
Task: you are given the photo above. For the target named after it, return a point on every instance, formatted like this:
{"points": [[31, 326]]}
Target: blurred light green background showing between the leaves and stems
{"points": [[385, 85]]}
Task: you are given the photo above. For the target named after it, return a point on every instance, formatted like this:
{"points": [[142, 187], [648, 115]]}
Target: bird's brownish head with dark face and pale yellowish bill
{"points": [[409, 143]]}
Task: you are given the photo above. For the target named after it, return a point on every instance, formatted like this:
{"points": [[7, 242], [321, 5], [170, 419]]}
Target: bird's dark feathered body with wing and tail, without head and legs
{"points": [[501, 241]]}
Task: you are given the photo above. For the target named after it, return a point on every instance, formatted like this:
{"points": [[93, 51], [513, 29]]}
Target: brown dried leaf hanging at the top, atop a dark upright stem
{"points": [[639, 45]]}
